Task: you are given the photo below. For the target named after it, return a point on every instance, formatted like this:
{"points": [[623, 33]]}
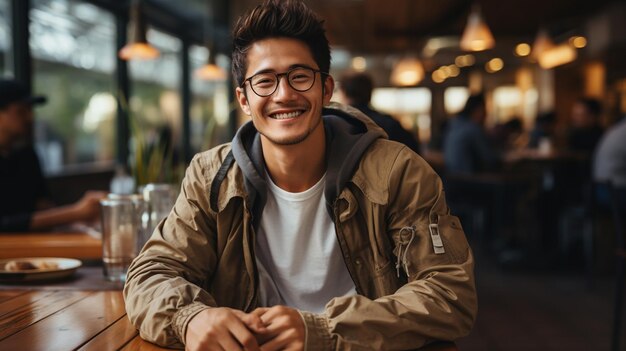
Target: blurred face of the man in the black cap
{"points": [[16, 121]]}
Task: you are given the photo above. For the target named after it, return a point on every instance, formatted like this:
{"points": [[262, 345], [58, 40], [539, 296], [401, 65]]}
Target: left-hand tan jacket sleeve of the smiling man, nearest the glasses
{"points": [[163, 287]]}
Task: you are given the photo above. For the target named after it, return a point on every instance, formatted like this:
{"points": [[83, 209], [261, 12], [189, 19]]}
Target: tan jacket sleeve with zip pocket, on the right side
{"points": [[438, 301]]}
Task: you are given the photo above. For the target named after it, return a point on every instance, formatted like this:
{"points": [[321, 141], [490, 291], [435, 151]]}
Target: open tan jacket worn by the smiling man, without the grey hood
{"points": [[408, 257]]}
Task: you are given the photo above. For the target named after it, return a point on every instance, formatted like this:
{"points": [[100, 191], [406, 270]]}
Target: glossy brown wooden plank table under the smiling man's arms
{"points": [[76, 320]]}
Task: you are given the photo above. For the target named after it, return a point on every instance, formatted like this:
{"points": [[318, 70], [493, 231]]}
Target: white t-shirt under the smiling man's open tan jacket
{"points": [[298, 256]]}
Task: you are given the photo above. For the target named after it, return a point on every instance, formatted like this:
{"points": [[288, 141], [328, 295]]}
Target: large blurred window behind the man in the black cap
{"points": [[73, 49]]}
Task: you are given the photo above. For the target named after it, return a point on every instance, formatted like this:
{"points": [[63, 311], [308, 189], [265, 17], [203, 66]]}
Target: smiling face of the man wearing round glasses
{"points": [[287, 117]]}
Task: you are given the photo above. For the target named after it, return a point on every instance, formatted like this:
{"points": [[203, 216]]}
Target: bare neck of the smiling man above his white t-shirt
{"points": [[296, 168]]}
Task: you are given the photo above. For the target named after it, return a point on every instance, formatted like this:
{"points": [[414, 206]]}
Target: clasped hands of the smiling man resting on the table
{"points": [[264, 329]]}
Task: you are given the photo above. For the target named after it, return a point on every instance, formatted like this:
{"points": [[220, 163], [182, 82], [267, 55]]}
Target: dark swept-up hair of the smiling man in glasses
{"points": [[279, 19]]}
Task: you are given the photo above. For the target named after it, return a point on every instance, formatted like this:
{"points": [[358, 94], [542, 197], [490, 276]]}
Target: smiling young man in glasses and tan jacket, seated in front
{"points": [[322, 234]]}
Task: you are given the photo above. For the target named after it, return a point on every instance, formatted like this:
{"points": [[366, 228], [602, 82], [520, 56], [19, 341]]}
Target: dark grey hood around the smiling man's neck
{"points": [[348, 135]]}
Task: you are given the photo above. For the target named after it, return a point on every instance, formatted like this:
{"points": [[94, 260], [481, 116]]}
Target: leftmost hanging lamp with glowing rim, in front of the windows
{"points": [[138, 47]]}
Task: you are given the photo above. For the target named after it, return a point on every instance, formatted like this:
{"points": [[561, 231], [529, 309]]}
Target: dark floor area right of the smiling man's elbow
{"points": [[532, 309]]}
